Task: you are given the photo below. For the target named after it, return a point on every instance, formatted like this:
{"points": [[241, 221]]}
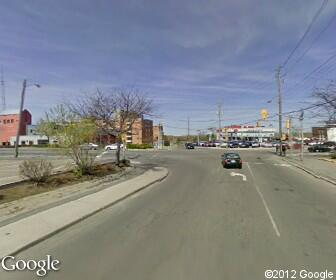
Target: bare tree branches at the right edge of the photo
{"points": [[325, 102]]}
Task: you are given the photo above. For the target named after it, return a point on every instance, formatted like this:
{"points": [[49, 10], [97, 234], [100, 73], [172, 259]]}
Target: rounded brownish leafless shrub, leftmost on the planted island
{"points": [[36, 170]]}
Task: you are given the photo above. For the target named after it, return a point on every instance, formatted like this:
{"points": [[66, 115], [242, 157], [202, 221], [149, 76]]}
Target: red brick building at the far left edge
{"points": [[9, 122]]}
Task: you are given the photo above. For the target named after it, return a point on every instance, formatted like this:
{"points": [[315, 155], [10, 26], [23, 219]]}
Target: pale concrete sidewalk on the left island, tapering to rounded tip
{"points": [[20, 235]]}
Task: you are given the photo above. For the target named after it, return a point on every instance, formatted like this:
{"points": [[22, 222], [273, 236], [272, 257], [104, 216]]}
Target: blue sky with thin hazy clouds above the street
{"points": [[186, 55]]}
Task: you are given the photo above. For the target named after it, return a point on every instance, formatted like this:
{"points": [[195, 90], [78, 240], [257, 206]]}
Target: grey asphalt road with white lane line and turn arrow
{"points": [[203, 223]]}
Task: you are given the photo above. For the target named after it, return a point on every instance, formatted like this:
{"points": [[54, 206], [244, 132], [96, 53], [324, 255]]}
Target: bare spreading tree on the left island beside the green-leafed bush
{"points": [[114, 112]]}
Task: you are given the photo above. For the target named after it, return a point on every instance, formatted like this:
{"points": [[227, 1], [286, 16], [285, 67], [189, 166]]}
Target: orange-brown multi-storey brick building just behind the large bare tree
{"points": [[141, 132]]}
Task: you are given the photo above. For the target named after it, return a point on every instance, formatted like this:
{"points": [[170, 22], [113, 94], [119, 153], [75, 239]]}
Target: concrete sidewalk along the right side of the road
{"points": [[316, 166]]}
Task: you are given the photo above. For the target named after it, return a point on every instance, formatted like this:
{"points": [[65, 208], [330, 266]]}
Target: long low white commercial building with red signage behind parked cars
{"points": [[248, 133]]}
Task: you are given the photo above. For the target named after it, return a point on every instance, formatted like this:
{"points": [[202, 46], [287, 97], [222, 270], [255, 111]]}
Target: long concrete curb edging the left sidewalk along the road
{"points": [[81, 218]]}
